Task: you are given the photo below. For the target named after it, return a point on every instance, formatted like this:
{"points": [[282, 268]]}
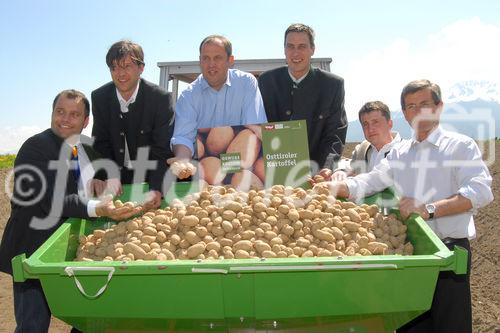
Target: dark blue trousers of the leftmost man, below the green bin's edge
{"points": [[31, 309]]}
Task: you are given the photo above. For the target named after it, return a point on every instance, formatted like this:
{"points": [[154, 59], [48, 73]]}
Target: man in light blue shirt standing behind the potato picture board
{"points": [[220, 96]]}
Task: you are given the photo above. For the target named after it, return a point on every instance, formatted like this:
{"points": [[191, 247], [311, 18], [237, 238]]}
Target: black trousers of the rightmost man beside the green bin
{"points": [[451, 309]]}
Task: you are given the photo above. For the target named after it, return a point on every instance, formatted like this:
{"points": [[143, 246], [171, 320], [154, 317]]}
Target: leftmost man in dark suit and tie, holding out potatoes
{"points": [[52, 173]]}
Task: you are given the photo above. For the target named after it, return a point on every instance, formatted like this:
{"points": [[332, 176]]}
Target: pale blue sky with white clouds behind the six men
{"points": [[376, 46]]}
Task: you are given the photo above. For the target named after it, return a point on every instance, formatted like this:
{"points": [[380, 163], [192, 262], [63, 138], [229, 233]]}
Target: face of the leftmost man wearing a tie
{"points": [[68, 117]]}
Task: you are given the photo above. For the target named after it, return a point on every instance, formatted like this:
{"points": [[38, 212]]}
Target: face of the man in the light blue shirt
{"points": [[214, 63]]}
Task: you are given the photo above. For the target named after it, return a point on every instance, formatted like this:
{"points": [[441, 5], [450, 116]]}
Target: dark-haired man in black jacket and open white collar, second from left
{"points": [[131, 114]]}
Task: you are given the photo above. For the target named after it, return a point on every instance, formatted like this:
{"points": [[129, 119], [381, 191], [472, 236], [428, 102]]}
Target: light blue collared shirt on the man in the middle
{"points": [[238, 102]]}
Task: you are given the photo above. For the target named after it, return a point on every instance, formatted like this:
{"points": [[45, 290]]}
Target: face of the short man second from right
{"points": [[377, 128]]}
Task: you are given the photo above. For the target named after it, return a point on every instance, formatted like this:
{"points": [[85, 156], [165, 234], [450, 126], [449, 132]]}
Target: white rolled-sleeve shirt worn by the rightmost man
{"points": [[443, 165]]}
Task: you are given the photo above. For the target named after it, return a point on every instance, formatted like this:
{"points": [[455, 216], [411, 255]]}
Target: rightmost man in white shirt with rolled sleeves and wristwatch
{"points": [[441, 176]]}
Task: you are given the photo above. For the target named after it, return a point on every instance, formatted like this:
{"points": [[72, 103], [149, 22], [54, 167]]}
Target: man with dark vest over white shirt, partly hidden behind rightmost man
{"points": [[375, 119]]}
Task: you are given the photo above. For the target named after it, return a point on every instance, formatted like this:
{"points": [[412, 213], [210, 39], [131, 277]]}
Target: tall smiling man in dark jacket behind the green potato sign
{"points": [[299, 91]]}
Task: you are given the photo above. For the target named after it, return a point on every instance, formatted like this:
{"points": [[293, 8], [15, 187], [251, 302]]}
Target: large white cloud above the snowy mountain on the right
{"points": [[464, 50]]}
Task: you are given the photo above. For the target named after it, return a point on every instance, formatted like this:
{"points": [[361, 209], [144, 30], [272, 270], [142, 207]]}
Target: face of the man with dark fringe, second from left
{"points": [[126, 74]]}
